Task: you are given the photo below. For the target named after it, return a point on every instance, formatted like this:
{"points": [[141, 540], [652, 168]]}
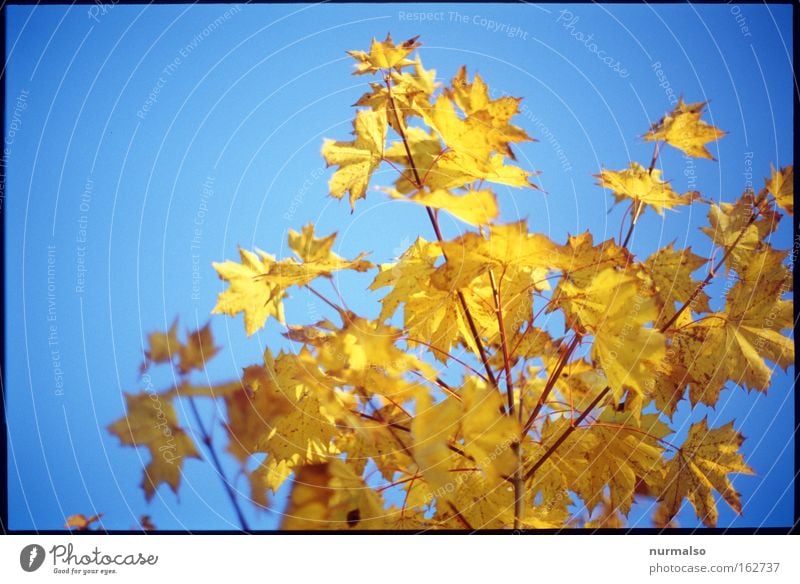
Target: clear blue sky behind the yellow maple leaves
{"points": [[244, 108]]}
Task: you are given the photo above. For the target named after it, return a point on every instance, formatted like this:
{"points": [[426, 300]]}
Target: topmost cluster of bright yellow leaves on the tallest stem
{"points": [[469, 136]]}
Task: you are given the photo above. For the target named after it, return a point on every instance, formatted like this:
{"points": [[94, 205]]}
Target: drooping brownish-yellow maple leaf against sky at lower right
{"points": [[702, 465]]}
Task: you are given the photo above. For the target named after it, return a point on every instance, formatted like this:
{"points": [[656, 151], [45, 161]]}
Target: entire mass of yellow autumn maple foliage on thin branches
{"points": [[364, 417]]}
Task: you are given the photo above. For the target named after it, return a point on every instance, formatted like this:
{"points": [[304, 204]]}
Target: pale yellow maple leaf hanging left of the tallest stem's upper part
{"points": [[357, 159]]}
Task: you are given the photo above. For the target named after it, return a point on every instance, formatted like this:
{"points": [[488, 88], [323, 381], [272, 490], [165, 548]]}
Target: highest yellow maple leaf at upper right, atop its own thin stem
{"points": [[683, 129]]}
